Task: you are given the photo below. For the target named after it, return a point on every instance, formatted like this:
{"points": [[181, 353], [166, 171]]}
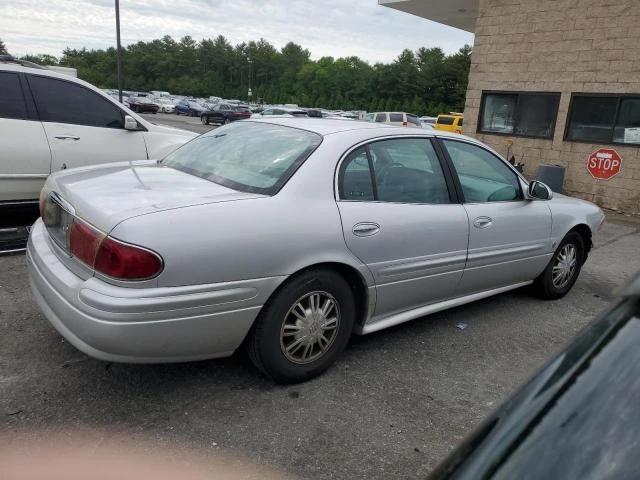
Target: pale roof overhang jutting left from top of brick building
{"points": [[460, 14]]}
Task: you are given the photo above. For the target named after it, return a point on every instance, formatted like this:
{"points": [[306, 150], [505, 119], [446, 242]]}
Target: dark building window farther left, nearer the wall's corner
{"points": [[530, 114]]}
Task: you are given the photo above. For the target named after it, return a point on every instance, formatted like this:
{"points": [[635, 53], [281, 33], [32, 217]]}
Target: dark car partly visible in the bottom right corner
{"points": [[576, 418]]}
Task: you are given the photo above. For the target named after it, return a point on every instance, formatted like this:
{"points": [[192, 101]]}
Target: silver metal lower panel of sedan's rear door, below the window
{"points": [[417, 255]]}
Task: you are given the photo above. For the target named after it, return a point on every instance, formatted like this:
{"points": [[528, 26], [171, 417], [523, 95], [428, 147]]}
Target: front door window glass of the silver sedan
{"points": [[483, 176]]}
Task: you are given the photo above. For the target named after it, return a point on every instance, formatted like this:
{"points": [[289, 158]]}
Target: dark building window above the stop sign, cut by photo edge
{"points": [[613, 119]]}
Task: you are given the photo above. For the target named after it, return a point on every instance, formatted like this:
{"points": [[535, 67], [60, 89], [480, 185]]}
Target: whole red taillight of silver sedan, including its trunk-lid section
{"points": [[110, 257]]}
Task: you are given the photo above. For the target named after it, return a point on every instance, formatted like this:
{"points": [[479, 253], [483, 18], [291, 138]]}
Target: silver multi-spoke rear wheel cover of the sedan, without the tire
{"points": [[310, 327]]}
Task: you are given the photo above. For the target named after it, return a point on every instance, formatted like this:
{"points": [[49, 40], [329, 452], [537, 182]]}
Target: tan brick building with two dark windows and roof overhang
{"points": [[552, 82]]}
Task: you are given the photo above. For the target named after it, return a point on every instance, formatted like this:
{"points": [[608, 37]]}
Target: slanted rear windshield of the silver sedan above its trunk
{"points": [[248, 156]]}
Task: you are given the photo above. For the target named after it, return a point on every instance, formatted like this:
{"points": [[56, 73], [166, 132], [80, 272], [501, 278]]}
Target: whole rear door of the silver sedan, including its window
{"points": [[398, 220]]}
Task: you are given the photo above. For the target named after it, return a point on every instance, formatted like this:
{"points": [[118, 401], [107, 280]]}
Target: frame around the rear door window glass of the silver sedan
{"points": [[444, 162]]}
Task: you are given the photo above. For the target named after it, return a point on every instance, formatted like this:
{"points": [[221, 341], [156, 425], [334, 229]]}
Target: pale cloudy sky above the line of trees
{"points": [[336, 28]]}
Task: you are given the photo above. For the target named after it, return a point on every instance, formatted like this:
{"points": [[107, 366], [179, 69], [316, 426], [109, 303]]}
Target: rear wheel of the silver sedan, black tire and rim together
{"points": [[304, 327]]}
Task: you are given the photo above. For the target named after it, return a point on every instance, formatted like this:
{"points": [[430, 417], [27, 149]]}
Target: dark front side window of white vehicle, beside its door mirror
{"points": [[66, 102]]}
